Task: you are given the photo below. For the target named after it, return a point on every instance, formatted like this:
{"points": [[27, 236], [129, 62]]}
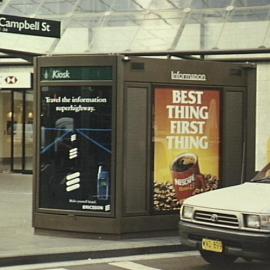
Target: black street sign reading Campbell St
{"points": [[29, 26]]}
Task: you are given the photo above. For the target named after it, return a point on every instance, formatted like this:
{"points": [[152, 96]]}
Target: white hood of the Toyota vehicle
{"points": [[248, 197]]}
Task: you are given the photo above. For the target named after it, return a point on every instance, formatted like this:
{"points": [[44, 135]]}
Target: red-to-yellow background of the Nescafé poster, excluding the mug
{"points": [[202, 138]]}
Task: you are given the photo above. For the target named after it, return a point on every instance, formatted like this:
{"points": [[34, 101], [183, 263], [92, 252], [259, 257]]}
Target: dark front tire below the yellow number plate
{"points": [[217, 259]]}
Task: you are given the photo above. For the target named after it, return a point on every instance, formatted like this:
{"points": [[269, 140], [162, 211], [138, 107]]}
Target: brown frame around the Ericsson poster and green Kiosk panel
{"points": [[36, 186]]}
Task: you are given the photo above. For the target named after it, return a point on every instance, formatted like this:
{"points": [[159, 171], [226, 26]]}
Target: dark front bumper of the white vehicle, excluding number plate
{"points": [[237, 243]]}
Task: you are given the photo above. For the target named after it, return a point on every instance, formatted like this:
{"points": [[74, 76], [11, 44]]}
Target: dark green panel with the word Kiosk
{"points": [[76, 73]]}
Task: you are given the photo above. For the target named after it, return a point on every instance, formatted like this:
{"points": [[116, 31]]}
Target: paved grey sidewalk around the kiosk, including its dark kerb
{"points": [[20, 245]]}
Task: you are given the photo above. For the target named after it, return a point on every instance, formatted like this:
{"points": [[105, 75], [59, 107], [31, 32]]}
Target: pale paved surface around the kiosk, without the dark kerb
{"points": [[17, 236]]}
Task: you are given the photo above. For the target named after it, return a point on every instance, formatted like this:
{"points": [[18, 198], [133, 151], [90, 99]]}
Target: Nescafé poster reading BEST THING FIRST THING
{"points": [[186, 144]]}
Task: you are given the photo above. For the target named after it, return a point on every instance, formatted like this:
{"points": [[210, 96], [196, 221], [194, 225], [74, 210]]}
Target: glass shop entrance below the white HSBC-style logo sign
{"points": [[16, 144]]}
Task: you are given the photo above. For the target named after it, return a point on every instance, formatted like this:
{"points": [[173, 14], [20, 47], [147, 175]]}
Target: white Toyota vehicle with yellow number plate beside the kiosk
{"points": [[230, 222]]}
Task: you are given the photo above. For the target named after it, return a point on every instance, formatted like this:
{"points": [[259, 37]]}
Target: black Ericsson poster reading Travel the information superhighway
{"points": [[75, 150]]}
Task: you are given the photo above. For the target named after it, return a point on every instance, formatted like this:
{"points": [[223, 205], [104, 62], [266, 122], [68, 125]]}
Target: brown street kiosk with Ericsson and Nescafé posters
{"points": [[122, 141]]}
